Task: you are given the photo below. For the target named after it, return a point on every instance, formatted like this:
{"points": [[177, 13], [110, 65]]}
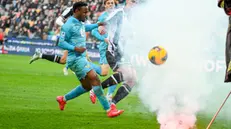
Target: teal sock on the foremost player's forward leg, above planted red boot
{"points": [[98, 90]]}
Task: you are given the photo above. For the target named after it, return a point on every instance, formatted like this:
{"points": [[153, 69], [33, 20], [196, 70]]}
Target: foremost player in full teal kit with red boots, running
{"points": [[73, 39]]}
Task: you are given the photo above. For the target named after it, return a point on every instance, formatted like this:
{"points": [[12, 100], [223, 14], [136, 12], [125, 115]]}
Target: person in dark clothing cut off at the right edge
{"points": [[226, 5]]}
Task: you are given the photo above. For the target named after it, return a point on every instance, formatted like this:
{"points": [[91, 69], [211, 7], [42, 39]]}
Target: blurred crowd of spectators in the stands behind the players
{"points": [[35, 19]]}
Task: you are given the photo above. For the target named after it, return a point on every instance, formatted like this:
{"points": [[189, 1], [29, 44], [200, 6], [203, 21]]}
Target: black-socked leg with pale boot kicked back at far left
{"points": [[52, 58]]}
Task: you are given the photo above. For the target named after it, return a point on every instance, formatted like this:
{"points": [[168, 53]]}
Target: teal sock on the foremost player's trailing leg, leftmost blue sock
{"points": [[75, 93]]}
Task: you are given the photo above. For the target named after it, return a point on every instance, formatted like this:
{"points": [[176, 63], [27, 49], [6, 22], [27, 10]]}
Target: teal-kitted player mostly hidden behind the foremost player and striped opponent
{"points": [[101, 34]]}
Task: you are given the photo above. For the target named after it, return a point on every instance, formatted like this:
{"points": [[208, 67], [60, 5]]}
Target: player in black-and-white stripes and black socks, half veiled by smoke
{"points": [[123, 71]]}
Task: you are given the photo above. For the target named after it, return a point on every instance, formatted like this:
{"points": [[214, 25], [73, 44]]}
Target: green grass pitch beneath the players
{"points": [[27, 101]]}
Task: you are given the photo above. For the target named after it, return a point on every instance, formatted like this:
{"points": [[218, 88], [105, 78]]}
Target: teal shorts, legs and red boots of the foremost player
{"points": [[88, 79]]}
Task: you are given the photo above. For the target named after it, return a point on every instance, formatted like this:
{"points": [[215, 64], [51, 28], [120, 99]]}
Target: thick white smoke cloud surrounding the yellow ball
{"points": [[192, 31]]}
